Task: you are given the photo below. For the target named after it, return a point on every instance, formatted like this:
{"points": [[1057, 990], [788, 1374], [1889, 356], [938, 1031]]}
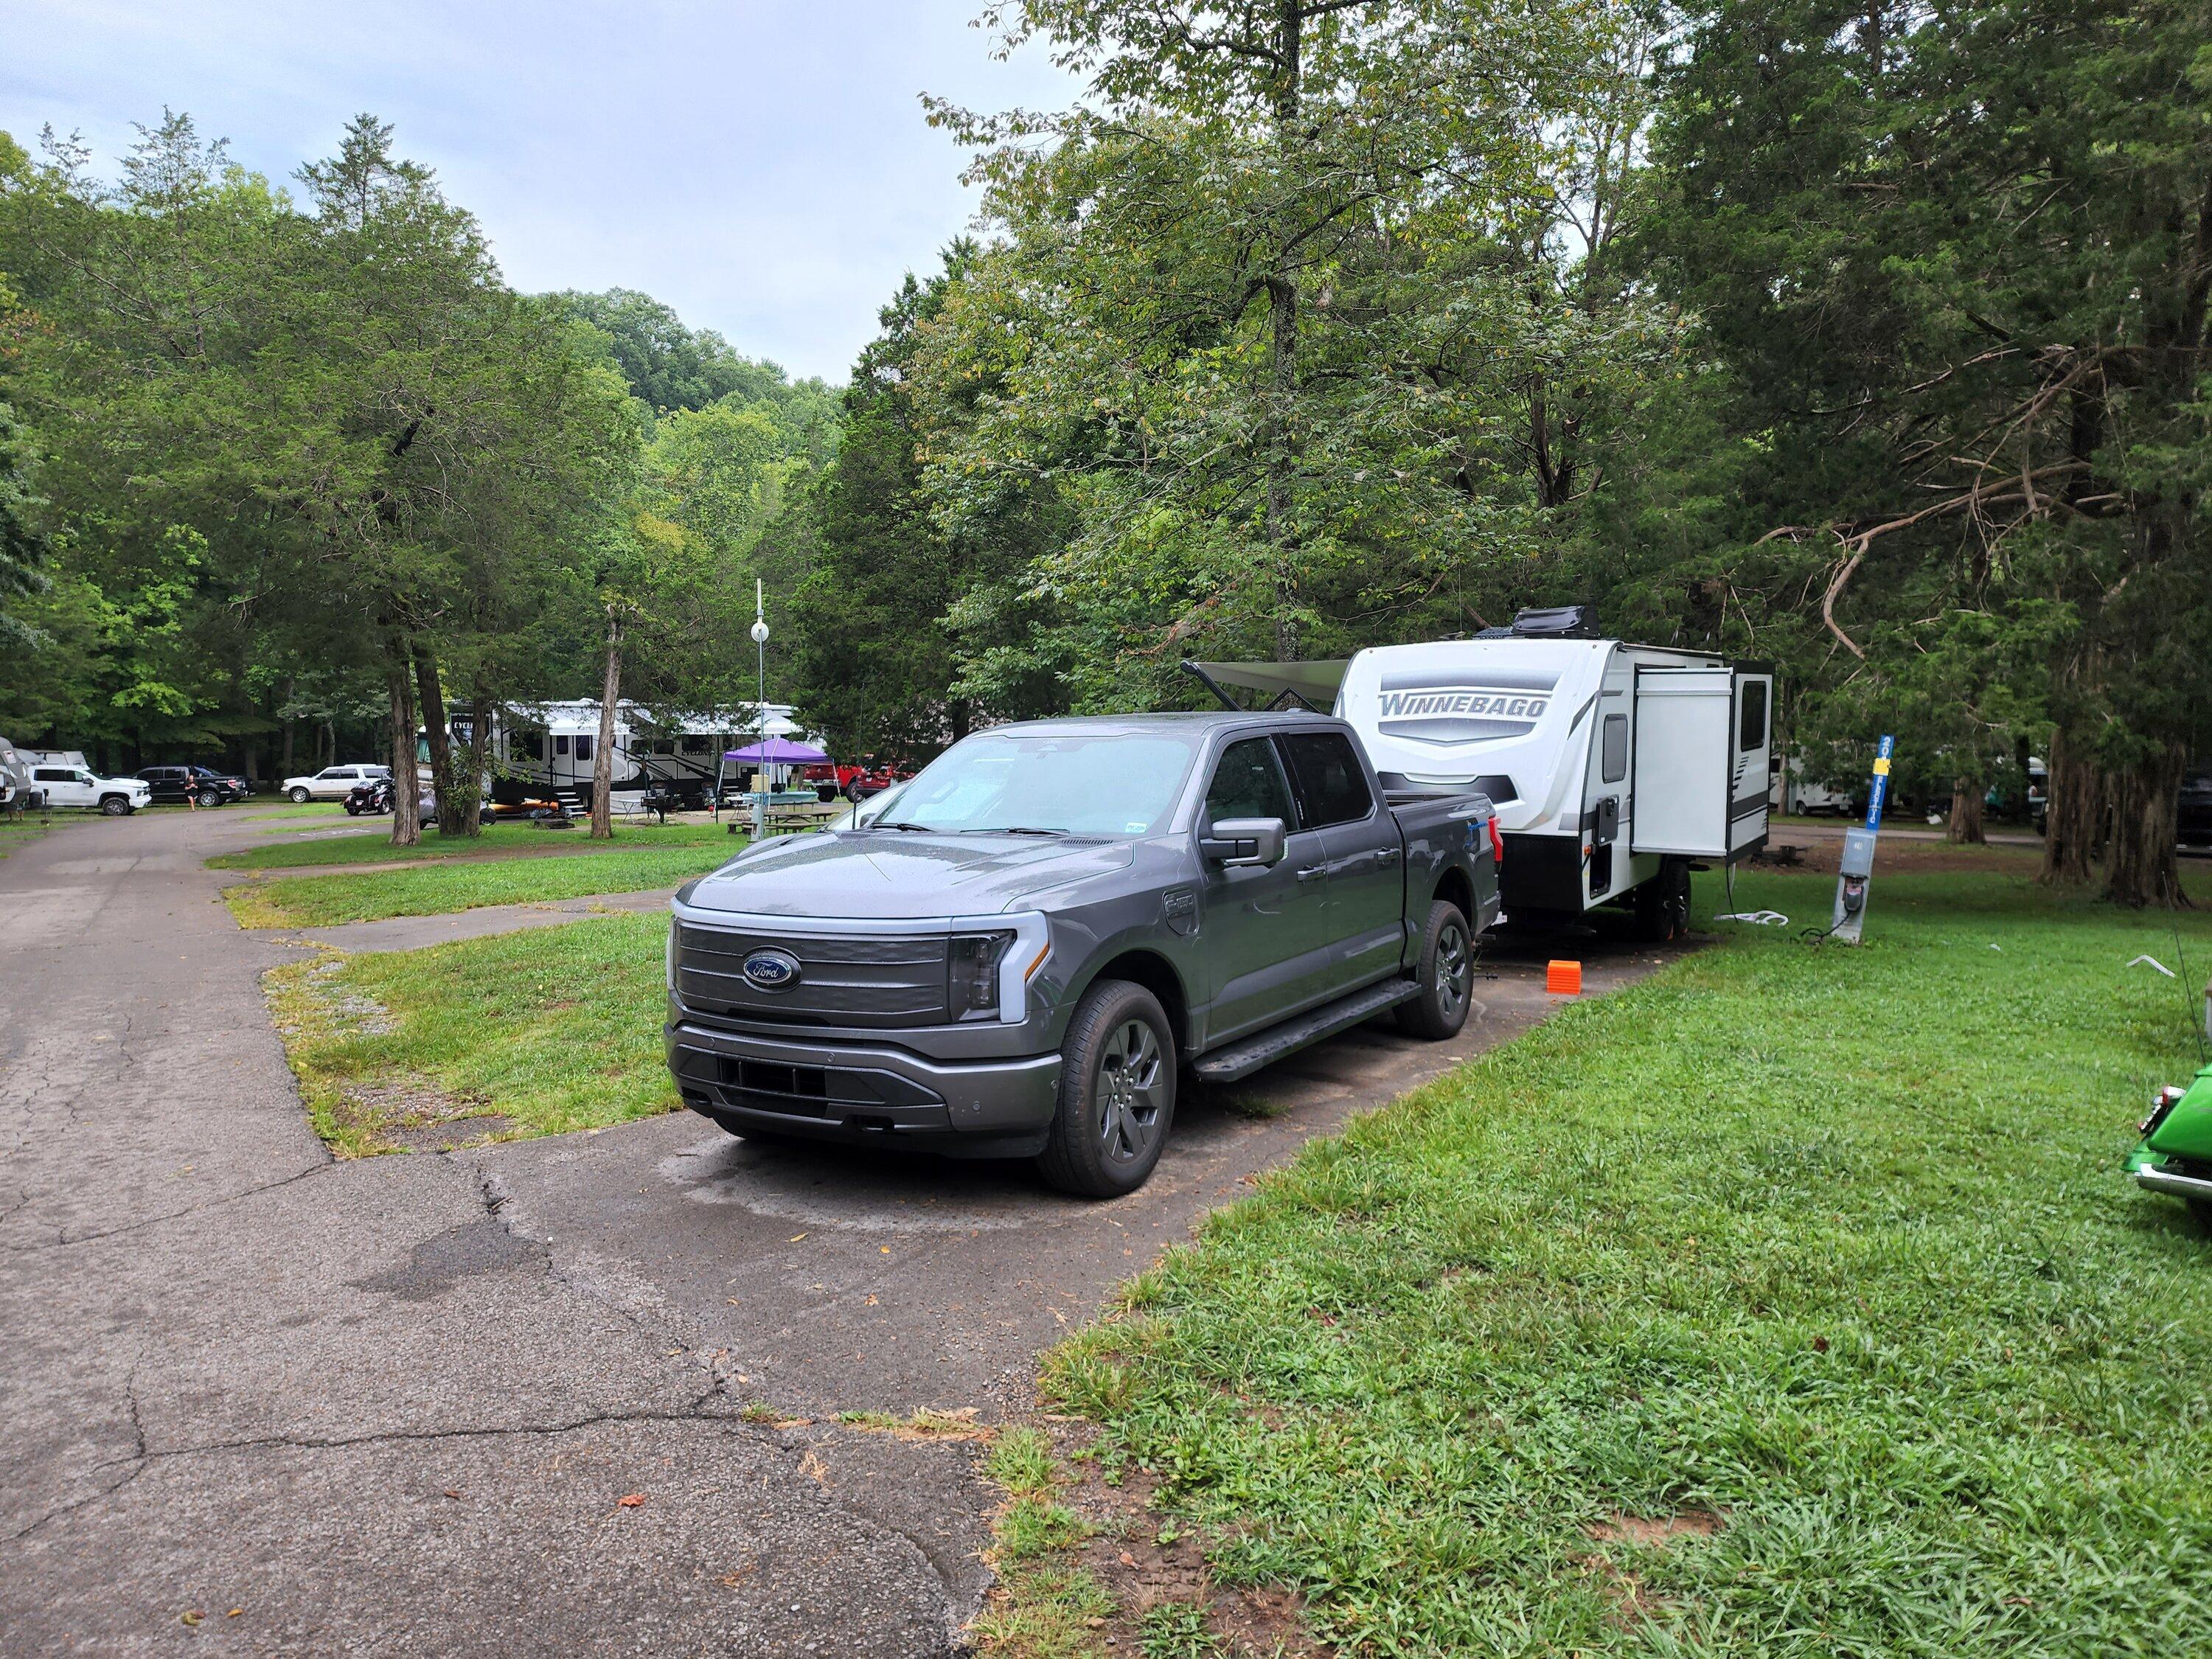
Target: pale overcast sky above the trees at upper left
{"points": [[760, 165]]}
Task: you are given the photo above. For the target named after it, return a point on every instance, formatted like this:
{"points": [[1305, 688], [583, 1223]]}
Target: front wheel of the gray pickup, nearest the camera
{"points": [[1116, 1094]]}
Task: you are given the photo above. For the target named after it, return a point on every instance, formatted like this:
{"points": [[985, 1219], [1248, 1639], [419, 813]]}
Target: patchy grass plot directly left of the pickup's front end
{"points": [[528, 1034]]}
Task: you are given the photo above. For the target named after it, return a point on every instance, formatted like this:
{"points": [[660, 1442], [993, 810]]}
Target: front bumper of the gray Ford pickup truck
{"points": [[868, 1094]]}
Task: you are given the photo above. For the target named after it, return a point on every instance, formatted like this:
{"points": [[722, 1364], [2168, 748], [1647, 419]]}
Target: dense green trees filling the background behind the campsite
{"points": [[1861, 340]]}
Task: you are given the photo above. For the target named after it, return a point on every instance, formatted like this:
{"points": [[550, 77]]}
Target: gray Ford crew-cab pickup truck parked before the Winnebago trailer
{"points": [[1054, 919]]}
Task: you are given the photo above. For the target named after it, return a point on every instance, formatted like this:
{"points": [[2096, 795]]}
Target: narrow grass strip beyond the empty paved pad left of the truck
{"points": [[470, 884]]}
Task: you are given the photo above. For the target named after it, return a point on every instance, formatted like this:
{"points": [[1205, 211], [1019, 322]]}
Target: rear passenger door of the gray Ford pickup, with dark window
{"points": [[1364, 917]]}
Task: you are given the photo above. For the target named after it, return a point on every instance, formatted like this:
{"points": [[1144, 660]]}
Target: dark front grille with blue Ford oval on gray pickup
{"points": [[886, 981]]}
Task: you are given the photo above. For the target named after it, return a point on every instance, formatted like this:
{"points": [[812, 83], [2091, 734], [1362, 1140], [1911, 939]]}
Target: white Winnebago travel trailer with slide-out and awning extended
{"points": [[1614, 766]]}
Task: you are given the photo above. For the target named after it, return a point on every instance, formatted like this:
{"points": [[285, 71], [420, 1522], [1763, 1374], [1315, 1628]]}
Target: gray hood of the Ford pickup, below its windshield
{"points": [[893, 875]]}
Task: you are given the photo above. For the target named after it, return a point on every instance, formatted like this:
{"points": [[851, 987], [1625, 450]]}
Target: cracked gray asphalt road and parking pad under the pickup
{"points": [[273, 1404]]}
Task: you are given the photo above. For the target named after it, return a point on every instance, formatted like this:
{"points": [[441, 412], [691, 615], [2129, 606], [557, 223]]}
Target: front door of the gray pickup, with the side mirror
{"points": [[1262, 926]]}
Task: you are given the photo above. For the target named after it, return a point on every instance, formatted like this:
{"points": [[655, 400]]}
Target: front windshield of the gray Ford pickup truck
{"points": [[1087, 784]]}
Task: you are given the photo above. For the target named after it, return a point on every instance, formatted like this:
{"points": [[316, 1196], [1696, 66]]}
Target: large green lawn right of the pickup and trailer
{"points": [[1788, 1304]]}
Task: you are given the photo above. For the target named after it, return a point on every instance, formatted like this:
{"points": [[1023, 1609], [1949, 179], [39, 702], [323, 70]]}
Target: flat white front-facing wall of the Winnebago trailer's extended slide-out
{"points": [[1684, 762]]}
